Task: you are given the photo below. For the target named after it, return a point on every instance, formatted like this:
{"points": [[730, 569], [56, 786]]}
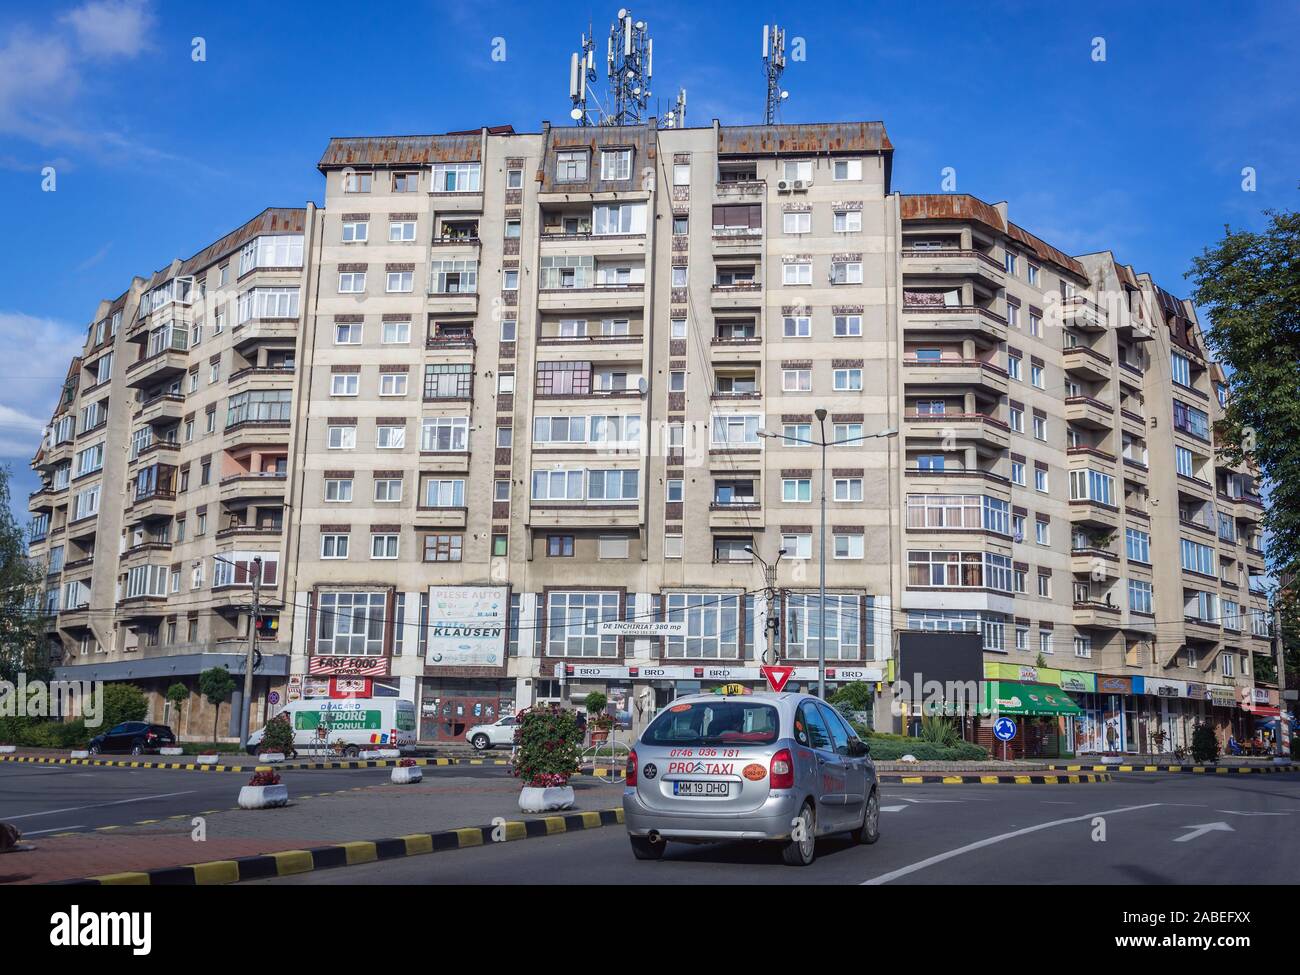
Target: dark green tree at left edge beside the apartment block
{"points": [[23, 618]]}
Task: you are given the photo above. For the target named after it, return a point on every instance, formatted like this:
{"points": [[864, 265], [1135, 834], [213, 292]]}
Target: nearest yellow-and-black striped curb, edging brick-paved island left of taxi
{"points": [[348, 855]]}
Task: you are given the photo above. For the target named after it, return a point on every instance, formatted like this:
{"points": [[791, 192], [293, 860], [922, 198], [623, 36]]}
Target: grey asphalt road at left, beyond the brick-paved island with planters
{"points": [[47, 800]]}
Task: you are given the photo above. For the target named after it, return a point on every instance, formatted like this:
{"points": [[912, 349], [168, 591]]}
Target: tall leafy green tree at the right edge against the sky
{"points": [[1250, 287]]}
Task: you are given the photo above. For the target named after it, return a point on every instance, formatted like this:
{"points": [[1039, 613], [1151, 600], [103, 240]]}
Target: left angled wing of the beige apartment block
{"points": [[167, 469]]}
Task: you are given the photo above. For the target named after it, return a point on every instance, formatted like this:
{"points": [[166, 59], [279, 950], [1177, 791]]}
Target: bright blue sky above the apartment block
{"points": [[157, 155]]}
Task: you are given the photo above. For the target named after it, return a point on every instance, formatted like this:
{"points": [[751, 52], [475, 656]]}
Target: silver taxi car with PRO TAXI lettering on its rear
{"points": [[781, 768]]}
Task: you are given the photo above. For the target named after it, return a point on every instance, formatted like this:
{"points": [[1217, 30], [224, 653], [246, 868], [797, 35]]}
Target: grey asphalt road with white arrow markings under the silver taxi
{"points": [[1158, 829]]}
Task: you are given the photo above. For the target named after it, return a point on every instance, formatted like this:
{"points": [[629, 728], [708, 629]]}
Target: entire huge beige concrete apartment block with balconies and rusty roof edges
{"points": [[541, 388]]}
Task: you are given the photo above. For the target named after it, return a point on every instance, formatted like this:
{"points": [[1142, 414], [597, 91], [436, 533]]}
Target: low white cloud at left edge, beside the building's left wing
{"points": [[34, 357]]}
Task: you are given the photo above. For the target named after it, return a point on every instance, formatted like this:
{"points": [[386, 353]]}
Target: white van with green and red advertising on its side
{"points": [[359, 723]]}
